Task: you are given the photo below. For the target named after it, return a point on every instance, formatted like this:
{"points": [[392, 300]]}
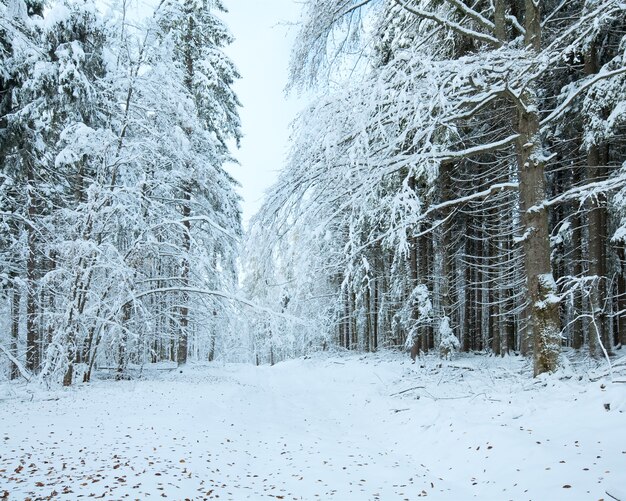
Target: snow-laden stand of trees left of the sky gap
{"points": [[117, 217]]}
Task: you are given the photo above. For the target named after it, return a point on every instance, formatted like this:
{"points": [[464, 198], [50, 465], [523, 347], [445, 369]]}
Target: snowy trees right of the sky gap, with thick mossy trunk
{"points": [[462, 155]]}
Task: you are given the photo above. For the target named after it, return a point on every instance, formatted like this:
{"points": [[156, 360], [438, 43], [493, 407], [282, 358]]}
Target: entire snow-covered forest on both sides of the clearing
{"points": [[456, 184]]}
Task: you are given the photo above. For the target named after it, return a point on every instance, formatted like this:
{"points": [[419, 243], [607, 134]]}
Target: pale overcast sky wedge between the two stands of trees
{"points": [[261, 52]]}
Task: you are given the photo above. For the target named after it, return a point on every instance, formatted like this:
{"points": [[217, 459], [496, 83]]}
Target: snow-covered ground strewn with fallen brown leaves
{"points": [[342, 427]]}
